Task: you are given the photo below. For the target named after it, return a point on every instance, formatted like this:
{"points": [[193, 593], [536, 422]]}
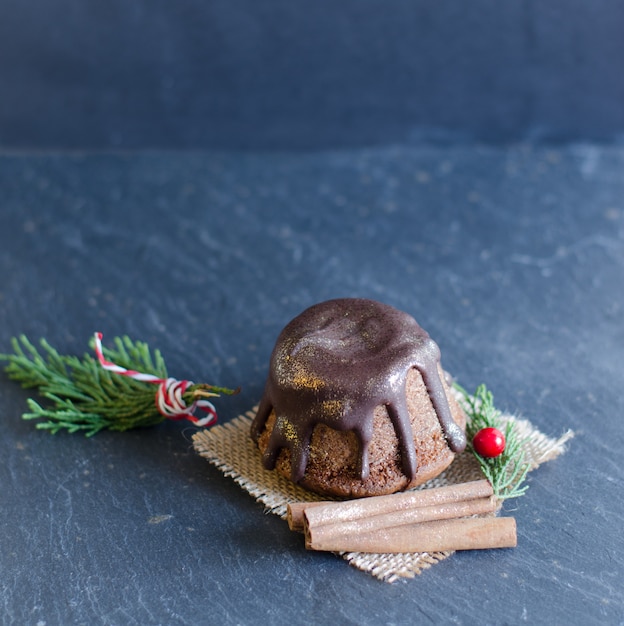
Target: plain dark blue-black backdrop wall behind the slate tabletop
{"points": [[291, 74]]}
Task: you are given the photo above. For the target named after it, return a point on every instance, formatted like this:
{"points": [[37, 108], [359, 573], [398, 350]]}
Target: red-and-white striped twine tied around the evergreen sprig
{"points": [[169, 396]]}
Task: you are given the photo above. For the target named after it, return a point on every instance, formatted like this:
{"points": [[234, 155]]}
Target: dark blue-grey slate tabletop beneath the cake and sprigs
{"points": [[513, 259]]}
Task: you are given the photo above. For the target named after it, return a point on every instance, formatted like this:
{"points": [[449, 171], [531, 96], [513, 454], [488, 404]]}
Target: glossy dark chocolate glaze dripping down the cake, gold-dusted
{"points": [[334, 364]]}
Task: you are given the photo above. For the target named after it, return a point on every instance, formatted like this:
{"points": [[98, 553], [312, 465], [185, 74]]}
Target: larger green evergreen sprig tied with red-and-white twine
{"points": [[82, 396]]}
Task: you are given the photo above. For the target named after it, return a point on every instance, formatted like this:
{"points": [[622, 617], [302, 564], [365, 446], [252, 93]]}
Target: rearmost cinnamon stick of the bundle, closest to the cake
{"points": [[321, 513]]}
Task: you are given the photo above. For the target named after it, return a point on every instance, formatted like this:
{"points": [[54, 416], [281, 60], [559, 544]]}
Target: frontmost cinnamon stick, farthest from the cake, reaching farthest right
{"points": [[435, 536]]}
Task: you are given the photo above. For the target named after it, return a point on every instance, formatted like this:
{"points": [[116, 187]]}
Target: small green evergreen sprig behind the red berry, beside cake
{"points": [[507, 471]]}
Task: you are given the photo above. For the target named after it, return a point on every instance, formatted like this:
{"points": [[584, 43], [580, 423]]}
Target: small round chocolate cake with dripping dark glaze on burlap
{"points": [[356, 402]]}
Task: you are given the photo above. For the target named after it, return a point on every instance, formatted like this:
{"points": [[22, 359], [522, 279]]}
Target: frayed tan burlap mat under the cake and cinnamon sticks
{"points": [[230, 448]]}
